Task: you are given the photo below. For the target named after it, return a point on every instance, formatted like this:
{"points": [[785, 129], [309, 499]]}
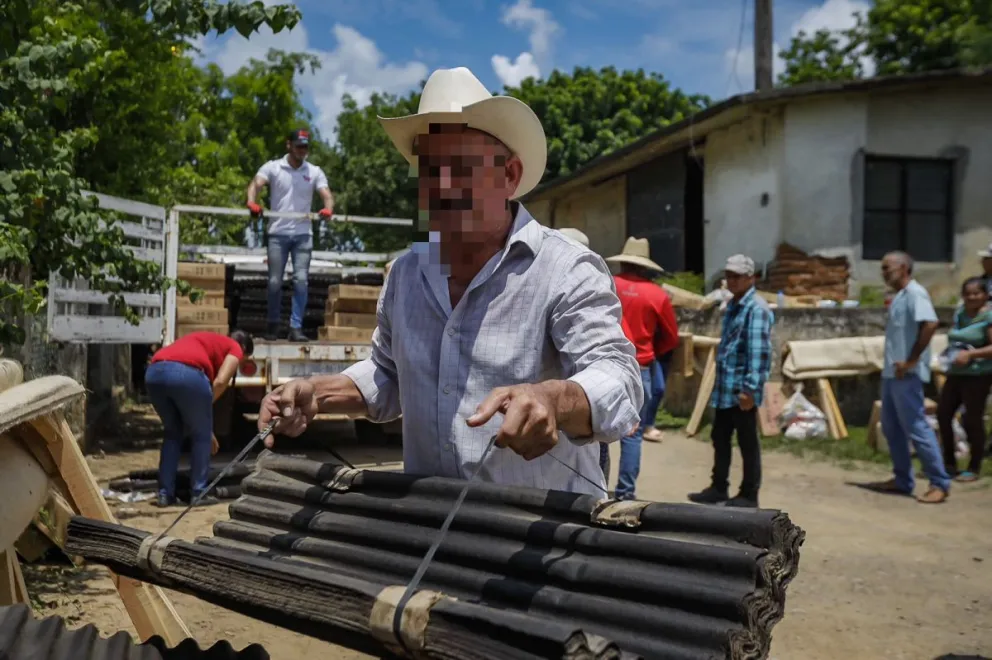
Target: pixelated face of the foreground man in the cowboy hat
{"points": [[465, 179]]}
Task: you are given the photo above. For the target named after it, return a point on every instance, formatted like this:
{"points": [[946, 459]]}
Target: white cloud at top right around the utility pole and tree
{"points": [[833, 15]]}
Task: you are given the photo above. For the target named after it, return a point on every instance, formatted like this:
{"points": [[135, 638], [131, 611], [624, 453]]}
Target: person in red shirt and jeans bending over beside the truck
{"points": [[183, 381]]}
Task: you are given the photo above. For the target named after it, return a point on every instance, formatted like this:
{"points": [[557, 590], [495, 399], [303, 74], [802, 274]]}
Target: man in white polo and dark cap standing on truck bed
{"points": [[292, 181]]}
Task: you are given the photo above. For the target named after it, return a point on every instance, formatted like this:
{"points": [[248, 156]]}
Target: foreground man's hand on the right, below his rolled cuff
{"points": [[530, 426]]}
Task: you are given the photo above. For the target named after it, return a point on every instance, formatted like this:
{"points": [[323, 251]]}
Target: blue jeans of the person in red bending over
{"points": [[183, 398]]}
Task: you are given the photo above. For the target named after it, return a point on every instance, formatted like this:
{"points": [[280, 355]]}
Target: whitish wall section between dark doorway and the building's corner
{"points": [[742, 196]]}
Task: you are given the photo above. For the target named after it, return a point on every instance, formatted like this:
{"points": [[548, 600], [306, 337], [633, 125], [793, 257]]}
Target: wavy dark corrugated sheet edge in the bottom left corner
{"points": [[24, 637]]}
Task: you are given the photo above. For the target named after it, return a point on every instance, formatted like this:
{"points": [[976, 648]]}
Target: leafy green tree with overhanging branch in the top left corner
{"points": [[53, 59]]}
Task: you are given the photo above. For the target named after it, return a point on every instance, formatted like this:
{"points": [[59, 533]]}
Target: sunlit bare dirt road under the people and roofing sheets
{"points": [[880, 577]]}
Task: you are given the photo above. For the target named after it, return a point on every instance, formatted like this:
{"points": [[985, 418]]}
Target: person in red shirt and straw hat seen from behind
{"points": [[649, 323]]}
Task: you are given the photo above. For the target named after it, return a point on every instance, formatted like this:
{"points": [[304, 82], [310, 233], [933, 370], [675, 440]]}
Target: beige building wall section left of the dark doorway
{"points": [[600, 212]]}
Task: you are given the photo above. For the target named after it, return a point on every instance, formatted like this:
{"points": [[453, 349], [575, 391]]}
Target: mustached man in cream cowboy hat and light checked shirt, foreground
{"points": [[495, 313]]}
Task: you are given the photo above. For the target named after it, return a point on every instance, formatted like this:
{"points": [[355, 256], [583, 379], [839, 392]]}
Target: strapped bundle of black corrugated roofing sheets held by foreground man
{"points": [[524, 573]]}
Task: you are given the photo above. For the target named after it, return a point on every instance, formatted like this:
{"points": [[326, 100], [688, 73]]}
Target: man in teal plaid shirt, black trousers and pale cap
{"points": [[743, 362]]}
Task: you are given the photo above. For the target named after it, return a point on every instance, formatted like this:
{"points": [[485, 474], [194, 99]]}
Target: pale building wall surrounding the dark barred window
{"points": [[823, 177]]}
